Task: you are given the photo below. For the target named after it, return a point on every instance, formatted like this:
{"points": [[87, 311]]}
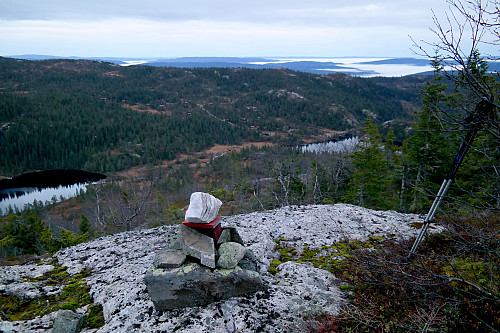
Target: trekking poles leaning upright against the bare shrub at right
{"points": [[484, 111]]}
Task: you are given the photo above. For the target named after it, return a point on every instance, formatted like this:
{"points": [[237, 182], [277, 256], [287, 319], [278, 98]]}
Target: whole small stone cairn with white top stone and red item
{"points": [[203, 262]]}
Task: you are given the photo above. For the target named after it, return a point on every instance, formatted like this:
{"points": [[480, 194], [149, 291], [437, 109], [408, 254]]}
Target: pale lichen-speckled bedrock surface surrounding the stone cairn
{"points": [[119, 264]]}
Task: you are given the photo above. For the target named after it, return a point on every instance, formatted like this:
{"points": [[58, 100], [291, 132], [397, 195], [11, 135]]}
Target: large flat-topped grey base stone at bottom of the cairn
{"points": [[195, 285]]}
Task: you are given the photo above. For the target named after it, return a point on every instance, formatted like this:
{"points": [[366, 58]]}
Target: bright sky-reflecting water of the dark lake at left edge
{"points": [[20, 198]]}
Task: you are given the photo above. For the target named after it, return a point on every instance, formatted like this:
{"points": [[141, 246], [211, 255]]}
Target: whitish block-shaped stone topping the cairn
{"points": [[203, 208]]}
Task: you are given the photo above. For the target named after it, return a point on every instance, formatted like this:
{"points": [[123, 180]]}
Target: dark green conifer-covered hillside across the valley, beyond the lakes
{"points": [[102, 117]]}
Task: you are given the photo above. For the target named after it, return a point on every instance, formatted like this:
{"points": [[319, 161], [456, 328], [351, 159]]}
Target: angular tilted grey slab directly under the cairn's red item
{"points": [[198, 245]]}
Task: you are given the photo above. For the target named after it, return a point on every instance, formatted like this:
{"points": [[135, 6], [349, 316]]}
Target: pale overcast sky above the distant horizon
{"points": [[163, 28]]}
